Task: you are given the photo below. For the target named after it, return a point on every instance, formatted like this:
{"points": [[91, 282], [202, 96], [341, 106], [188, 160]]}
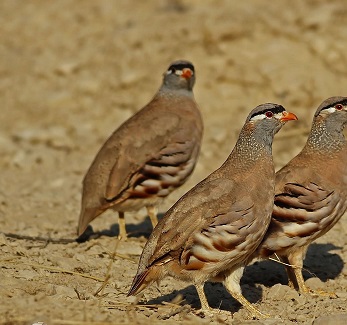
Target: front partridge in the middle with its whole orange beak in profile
{"points": [[210, 232]]}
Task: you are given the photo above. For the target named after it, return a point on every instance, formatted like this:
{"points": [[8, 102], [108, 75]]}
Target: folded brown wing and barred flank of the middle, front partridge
{"points": [[206, 217]]}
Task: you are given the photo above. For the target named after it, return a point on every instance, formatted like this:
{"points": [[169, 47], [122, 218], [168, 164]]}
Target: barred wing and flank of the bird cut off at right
{"points": [[301, 212]]}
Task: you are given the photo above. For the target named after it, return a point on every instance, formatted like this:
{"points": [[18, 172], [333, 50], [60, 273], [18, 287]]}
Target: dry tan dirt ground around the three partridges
{"points": [[72, 71]]}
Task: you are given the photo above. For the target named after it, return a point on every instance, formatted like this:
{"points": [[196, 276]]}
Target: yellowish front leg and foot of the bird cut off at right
{"points": [[297, 261]]}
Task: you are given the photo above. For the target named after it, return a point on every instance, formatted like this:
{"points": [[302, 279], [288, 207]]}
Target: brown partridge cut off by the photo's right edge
{"points": [[311, 191]]}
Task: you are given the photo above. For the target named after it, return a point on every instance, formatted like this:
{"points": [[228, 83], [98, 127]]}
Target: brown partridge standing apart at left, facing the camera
{"points": [[150, 155]]}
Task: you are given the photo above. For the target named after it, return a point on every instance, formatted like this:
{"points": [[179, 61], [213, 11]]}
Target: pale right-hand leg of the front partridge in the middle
{"points": [[232, 284]]}
